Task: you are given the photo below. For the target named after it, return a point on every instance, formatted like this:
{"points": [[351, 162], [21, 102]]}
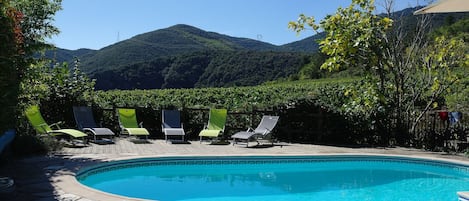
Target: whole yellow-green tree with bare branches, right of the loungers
{"points": [[407, 75]]}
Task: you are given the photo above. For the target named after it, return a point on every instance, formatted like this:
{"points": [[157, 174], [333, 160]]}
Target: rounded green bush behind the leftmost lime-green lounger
{"points": [[56, 89]]}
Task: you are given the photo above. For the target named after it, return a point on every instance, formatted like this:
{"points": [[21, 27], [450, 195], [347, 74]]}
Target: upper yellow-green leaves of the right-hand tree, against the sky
{"points": [[353, 36]]}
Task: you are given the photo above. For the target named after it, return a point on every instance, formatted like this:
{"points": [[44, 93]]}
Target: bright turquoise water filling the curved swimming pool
{"points": [[351, 178]]}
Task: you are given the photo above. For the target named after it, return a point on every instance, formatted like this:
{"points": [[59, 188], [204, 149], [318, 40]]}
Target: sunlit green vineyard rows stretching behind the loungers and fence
{"points": [[235, 99]]}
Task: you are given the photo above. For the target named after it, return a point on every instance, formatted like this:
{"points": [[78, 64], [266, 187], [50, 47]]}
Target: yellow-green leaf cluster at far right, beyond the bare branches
{"points": [[437, 66]]}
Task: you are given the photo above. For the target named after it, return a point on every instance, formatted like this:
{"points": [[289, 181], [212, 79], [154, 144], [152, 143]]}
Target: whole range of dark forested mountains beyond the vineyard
{"points": [[183, 56]]}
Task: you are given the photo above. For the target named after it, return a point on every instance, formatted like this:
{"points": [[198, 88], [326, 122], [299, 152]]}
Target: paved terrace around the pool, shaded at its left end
{"points": [[51, 177]]}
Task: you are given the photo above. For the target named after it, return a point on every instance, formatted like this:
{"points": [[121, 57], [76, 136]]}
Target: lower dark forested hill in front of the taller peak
{"points": [[203, 69]]}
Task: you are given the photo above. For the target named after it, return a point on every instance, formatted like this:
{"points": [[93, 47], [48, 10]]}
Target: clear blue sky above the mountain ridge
{"points": [[96, 24]]}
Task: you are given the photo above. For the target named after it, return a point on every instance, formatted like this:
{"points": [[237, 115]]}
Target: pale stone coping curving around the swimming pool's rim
{"points": [[68, 182]]}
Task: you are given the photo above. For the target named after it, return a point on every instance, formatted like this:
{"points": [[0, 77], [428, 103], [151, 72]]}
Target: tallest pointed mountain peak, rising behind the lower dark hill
{"points": [[175, 40]]}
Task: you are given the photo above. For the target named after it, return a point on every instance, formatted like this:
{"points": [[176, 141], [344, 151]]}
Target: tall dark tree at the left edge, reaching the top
{"points": [[25, 25]]}
